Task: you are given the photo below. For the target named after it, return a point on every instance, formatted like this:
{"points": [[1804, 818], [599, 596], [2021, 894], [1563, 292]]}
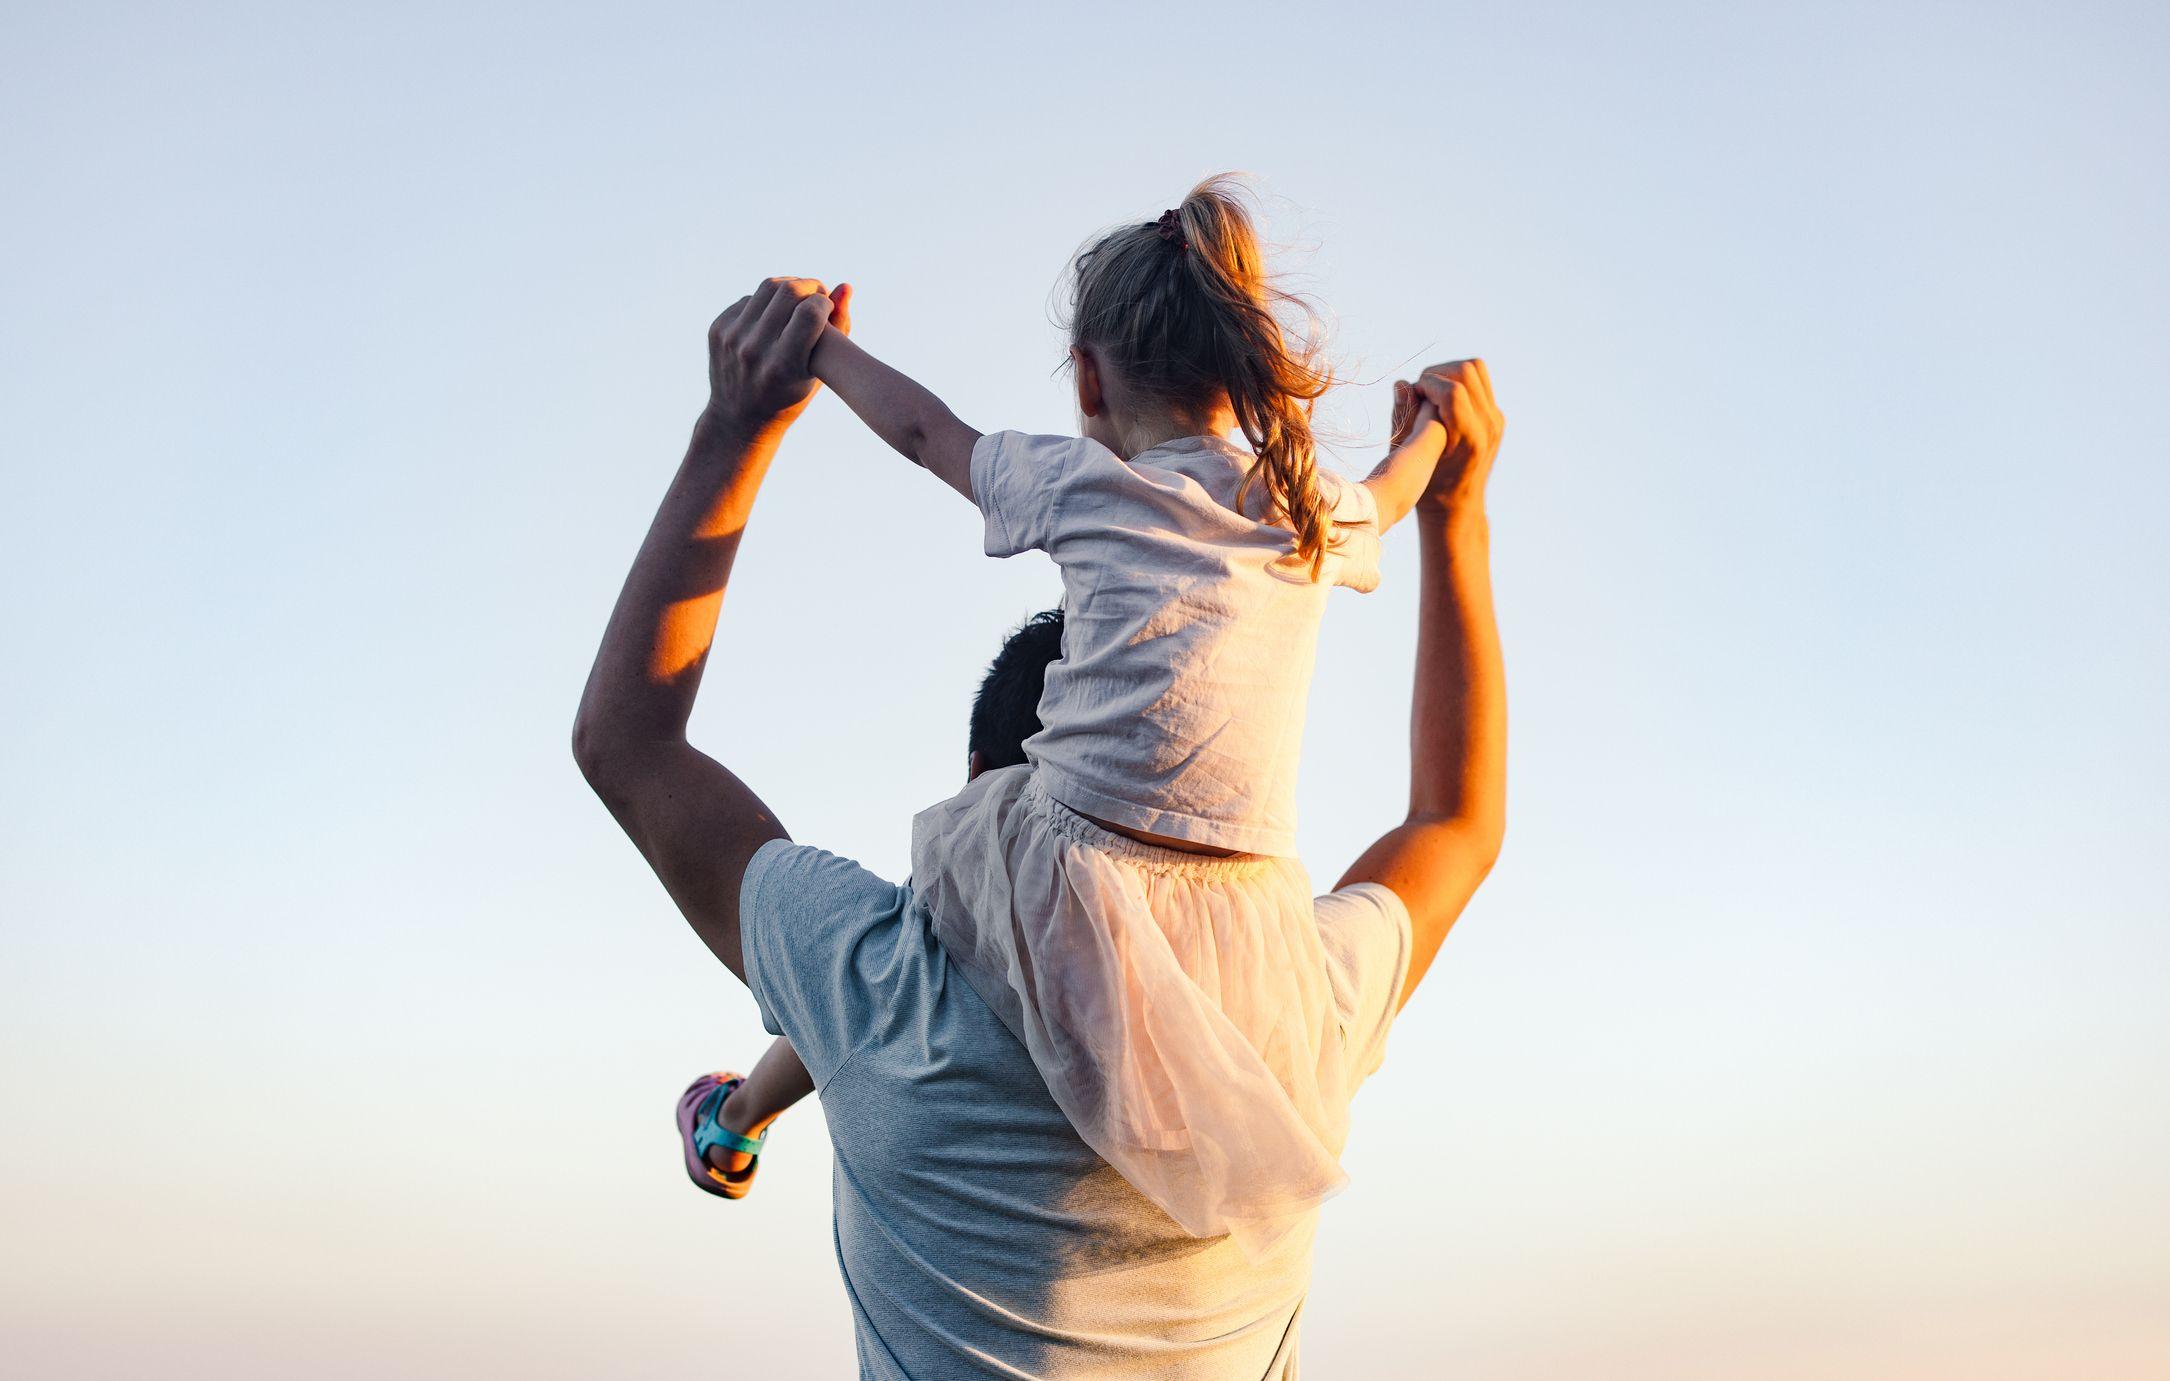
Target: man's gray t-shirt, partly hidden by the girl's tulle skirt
{"points": [[978, 1234]]}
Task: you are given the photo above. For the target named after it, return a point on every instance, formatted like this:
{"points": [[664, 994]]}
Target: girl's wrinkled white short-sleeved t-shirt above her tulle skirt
{"points": [[1190, 631]]}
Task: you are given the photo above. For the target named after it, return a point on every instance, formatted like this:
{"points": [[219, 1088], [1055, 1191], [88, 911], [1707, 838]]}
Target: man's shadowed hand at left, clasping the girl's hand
{"points": [[761, 349]]}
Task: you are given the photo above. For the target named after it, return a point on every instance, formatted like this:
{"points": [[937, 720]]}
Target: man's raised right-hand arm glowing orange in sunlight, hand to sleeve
{"points": [[1457, 757]]}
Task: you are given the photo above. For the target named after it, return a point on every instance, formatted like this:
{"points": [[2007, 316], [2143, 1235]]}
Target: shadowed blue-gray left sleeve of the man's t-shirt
{"points": [[819, 935]]}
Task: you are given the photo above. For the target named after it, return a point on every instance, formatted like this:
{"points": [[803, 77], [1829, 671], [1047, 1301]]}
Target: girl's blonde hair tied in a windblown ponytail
{"points": [[1186, 312]]}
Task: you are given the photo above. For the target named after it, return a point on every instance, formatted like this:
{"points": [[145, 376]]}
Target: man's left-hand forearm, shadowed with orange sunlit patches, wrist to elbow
{"points": [[654, 650]]}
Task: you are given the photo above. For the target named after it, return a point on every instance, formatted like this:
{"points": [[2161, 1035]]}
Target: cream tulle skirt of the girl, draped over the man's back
{"points": [[1177, 1004]]}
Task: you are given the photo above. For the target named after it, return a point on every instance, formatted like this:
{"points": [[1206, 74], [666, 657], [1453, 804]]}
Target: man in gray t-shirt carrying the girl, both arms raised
{"points": [[978, 1234]]}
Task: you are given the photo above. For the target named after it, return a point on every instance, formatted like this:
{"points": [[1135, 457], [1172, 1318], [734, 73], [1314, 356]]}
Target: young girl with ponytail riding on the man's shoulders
{"points": [[1129, 900]]}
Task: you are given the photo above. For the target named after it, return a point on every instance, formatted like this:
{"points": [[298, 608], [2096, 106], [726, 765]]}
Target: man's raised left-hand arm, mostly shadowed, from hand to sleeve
{"points": [[687, 813]]}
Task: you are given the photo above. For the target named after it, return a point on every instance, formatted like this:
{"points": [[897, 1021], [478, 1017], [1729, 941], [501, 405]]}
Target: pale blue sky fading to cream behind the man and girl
{"points": [[1813, 1022]]}
